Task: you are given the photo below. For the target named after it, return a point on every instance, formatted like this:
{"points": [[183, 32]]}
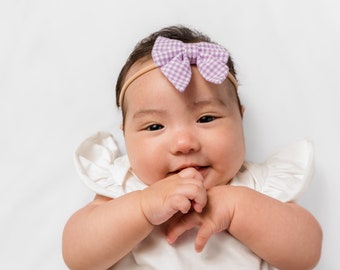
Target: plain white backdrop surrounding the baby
{"points": [[59, 61]]}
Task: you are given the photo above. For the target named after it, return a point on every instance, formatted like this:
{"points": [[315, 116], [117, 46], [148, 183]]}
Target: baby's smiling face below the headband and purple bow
{"points": [[167, 131]]}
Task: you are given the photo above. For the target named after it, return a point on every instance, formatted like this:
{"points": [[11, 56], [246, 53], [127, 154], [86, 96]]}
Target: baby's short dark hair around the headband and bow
{"points": [[143, 51]]}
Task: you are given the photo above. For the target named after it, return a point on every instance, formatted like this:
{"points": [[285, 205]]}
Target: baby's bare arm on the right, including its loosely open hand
{"points": [[283, 234]]}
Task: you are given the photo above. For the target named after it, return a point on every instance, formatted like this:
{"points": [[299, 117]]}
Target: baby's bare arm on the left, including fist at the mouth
{"points": [[104, 231]]}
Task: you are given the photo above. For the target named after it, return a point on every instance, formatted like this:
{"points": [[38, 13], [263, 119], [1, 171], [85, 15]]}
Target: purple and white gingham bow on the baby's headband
{"points": [[176, 57]]}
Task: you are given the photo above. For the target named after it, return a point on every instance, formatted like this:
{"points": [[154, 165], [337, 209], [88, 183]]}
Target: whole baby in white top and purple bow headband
{"points": [[183, 197]]}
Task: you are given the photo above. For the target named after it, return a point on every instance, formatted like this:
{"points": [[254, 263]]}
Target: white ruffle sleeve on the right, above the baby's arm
{"points": [[285, 175]]}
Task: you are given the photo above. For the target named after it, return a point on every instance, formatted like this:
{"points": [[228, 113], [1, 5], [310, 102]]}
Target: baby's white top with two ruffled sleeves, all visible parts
{"points": [[283, 176]]}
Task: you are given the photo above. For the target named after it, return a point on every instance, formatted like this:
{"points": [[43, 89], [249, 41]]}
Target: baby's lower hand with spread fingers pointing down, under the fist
{"points": [[215, 218]]}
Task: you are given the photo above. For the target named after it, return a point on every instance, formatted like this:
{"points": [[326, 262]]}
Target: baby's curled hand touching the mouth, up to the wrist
{"points": [[176, 193]]}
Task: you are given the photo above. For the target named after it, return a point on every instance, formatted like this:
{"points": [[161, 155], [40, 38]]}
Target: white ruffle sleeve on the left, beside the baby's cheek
{"points": [[102, 170]]}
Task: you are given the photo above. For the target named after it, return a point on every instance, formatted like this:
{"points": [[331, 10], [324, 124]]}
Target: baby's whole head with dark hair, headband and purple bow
{"points": [[169, 126]]}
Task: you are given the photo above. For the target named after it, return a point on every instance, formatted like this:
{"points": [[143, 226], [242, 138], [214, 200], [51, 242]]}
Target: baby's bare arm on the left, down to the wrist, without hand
{"points": [[102, 232]]}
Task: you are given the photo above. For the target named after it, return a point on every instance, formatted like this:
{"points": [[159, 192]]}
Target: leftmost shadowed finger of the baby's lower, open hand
{"points": [[180, 225]]}
